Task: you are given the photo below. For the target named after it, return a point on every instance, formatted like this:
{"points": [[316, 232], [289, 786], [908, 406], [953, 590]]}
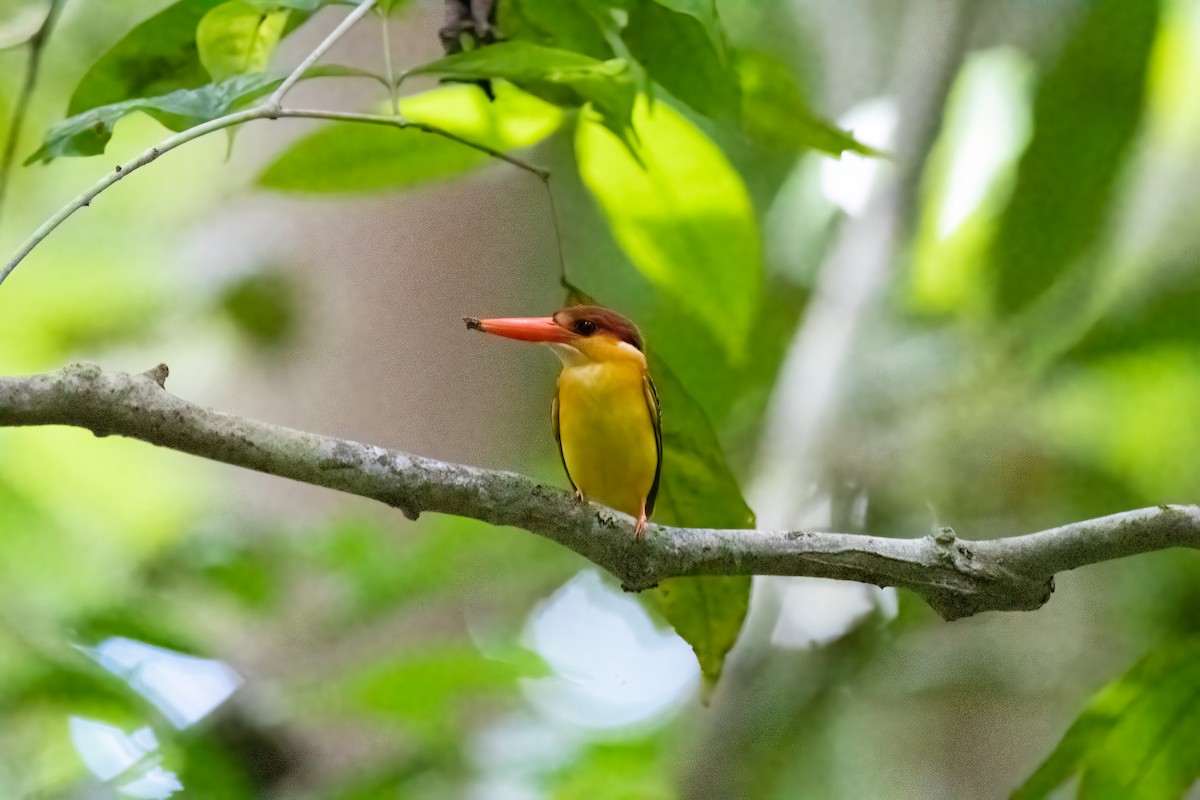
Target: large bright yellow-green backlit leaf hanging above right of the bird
{"points": [[682, 215]]}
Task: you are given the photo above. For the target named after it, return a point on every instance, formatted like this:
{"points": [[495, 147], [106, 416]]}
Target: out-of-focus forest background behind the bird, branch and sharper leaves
{"points": [[994, 328]]}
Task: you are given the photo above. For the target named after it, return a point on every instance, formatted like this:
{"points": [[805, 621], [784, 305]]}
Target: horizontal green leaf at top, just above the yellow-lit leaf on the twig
{"points": [[561, 77]]}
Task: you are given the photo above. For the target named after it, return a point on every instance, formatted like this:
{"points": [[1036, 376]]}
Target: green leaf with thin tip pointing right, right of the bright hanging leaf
{"points": [[776, 113]]}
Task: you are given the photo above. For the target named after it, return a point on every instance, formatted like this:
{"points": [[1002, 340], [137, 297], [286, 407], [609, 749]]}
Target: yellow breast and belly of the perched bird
{"points": [[607, 432]]}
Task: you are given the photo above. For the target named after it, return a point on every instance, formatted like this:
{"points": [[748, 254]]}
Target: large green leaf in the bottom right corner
{"points": [[1138, 739]]}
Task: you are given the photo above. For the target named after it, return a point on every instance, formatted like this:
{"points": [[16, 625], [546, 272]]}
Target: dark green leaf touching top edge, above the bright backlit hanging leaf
{"points": [[685, 55]]}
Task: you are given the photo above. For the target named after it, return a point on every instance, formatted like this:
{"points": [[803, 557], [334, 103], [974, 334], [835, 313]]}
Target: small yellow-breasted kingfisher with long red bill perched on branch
{"points": [[605, 414]]}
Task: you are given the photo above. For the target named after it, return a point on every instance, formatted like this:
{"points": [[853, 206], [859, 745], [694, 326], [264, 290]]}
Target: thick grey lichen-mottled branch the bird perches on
{"points": [[957, 578]]}
